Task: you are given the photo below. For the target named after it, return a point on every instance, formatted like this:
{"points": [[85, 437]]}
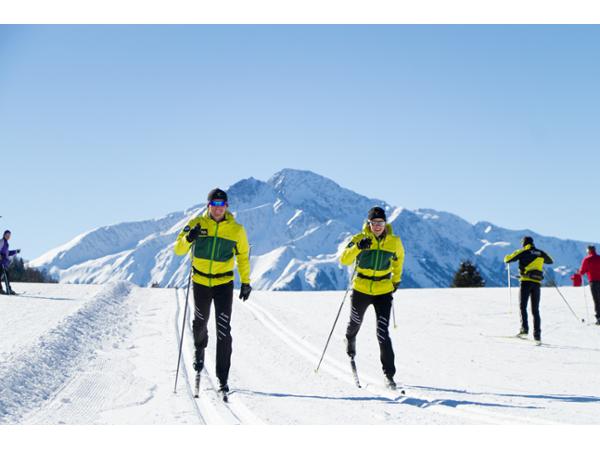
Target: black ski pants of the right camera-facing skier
{"points": [[383, 306]]}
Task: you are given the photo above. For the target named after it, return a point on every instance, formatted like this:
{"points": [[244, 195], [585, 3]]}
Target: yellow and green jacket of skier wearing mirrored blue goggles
{"points": [[215, 249]]}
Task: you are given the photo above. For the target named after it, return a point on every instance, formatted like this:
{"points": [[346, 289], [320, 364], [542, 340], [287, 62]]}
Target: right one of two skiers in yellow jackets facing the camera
{"points": [[379, 255]]}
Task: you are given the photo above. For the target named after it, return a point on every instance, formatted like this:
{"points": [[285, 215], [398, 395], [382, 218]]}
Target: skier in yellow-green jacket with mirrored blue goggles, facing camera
{"points": [[217, 239]]}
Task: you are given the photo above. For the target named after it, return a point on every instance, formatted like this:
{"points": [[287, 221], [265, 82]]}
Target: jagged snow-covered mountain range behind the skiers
{"points": [[298, 223]]}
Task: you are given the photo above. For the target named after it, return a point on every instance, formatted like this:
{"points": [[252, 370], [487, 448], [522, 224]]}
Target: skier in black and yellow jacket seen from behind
{"points": [[531, 269]]}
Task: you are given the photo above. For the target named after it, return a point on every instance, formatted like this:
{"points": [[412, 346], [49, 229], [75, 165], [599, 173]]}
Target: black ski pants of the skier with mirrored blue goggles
{"points": [[222, 296]]}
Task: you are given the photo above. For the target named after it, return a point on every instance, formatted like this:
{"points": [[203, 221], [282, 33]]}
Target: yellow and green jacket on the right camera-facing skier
{"points": [[379, 267]]}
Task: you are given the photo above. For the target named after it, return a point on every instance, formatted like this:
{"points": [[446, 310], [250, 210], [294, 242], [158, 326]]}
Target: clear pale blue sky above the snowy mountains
{"points": [[105, 124]]}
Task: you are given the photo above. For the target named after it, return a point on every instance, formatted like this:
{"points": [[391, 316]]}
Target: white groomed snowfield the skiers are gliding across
{"points": [[84, 354]]}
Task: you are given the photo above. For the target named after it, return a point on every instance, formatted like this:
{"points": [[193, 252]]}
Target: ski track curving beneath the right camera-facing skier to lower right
{"points": [[340, 371]]}
